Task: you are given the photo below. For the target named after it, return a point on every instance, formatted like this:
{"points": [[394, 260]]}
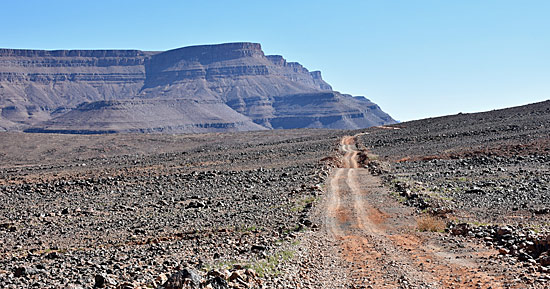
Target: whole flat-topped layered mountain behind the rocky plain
{"points": [[225, 87]]}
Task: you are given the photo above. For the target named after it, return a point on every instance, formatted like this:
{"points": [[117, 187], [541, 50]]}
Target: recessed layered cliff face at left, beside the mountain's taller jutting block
{"points": [[36, 84]]}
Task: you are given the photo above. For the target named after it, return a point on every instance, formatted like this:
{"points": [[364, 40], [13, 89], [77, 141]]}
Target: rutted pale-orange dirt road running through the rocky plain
{"points": [[378, 239]]}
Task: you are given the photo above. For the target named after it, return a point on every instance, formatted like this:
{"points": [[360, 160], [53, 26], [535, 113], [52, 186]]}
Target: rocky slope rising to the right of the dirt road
{"points": [[487, 175]]}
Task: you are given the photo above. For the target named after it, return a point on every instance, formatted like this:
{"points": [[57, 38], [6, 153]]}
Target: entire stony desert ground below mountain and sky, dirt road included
{"points": [[448, 202]]}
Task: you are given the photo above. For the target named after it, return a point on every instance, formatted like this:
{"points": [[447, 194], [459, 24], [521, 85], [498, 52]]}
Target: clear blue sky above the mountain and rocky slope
{"points": [[414, 58]]}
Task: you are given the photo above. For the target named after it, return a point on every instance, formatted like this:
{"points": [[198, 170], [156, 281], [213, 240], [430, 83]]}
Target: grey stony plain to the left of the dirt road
{"points": [[129, 210]]}
